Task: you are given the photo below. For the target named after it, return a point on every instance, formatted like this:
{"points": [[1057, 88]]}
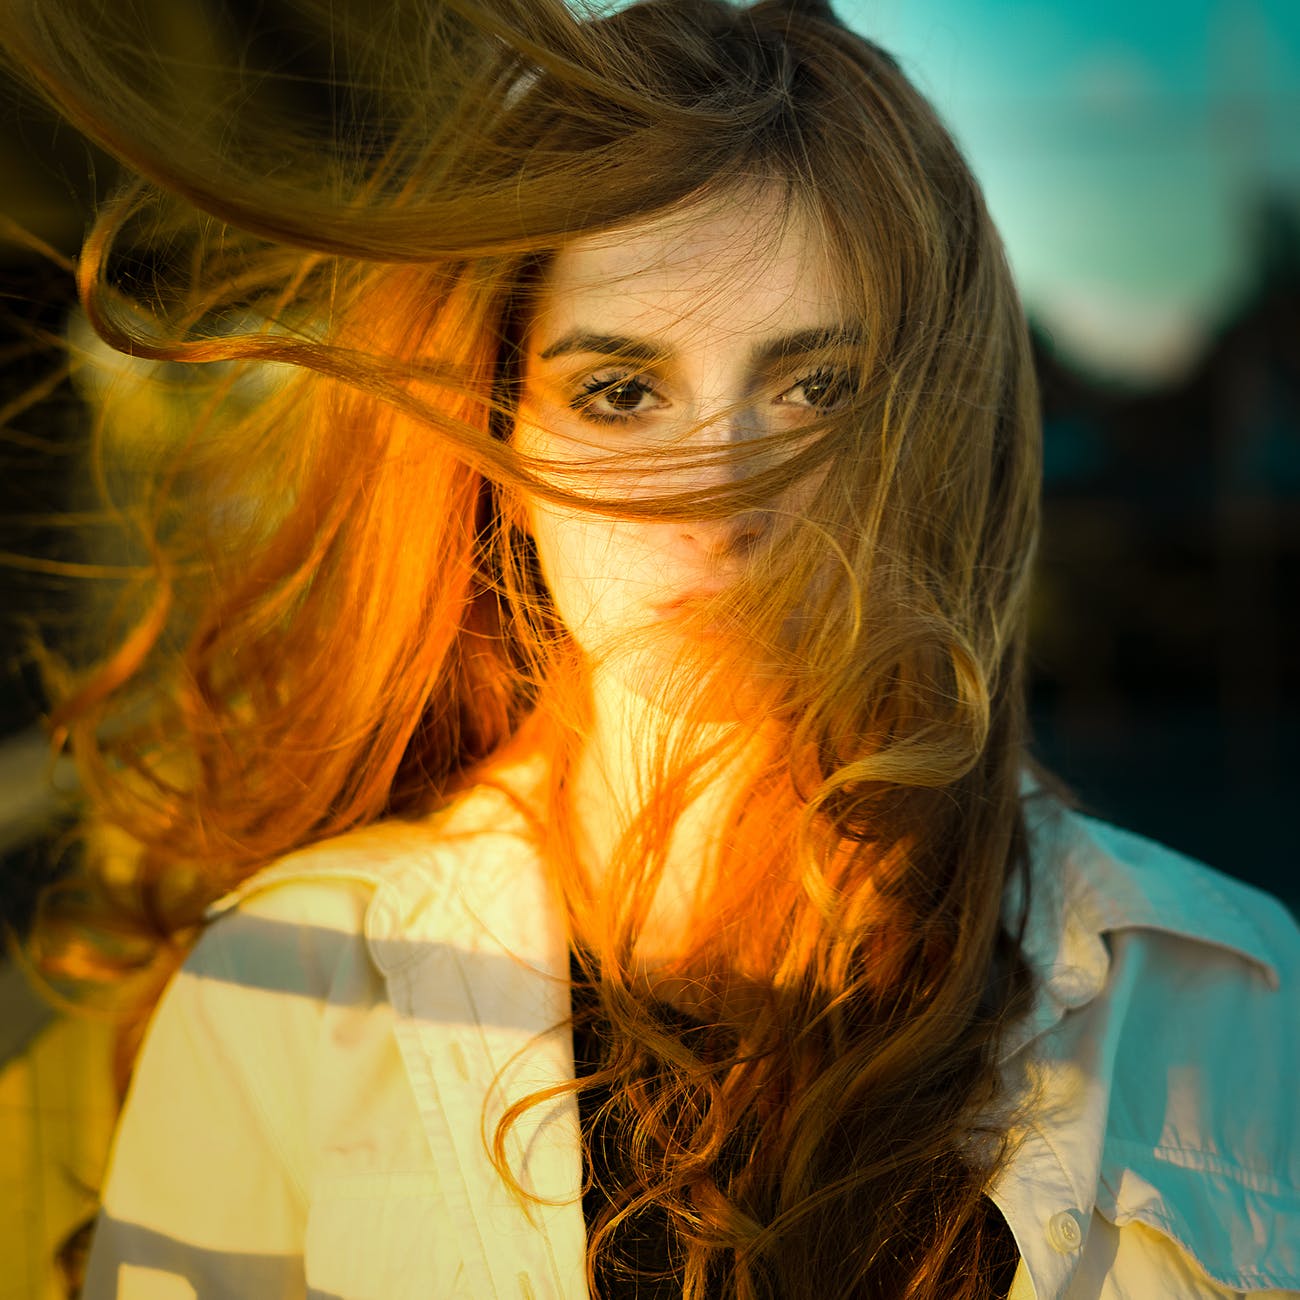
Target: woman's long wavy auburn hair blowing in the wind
{"points": [[340, 618]]}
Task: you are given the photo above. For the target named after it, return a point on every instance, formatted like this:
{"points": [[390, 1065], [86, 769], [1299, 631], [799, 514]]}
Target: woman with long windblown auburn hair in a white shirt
{"points": [[613, 631]]}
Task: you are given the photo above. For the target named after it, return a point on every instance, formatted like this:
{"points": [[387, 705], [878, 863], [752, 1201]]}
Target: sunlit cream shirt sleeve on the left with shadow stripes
{"points": [[206, 1193]]}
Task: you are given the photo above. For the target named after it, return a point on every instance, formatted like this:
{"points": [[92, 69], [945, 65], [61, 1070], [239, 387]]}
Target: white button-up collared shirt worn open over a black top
{"points": [[309, 1112]]}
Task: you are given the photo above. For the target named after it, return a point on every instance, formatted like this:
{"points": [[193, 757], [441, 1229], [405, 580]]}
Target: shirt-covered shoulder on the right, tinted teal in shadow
{"points": [[1164, 1051]]}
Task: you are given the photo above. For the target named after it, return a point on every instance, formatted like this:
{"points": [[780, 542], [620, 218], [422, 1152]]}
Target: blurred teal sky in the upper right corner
{"points": [[1121, 148]]}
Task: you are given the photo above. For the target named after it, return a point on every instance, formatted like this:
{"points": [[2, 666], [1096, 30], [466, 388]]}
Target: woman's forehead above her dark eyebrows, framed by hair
{"points": [[742, 263]]}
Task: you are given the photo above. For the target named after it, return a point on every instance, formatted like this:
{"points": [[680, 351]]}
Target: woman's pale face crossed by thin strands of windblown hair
{"points": [[697, 331]]}
